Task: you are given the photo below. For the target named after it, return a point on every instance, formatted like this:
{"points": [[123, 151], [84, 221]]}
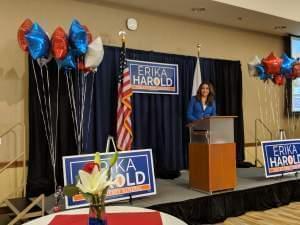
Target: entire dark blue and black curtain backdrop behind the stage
{"points": [[159, 121]]}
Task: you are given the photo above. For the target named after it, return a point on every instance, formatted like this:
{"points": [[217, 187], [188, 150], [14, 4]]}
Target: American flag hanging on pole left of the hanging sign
{"points": [[124, 126]]}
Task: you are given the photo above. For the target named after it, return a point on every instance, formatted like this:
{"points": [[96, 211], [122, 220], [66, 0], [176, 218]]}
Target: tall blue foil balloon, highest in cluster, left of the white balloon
{"points": [[78, 38]]}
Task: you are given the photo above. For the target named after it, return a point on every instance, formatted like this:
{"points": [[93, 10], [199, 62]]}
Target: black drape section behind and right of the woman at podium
{"points": [[226, 77]]}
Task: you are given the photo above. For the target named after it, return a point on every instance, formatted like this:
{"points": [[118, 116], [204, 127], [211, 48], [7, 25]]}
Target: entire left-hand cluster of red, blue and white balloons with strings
{"points": [[78, 56]]}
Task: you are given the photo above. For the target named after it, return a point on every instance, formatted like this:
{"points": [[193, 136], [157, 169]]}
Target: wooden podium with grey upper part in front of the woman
{"points": [[212, 160]]}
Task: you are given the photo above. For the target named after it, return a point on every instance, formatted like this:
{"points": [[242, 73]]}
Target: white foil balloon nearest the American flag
{"points": [[95, 53]]}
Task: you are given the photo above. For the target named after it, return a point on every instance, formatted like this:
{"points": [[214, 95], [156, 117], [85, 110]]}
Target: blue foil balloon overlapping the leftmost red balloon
{"points": [[38, 42]]}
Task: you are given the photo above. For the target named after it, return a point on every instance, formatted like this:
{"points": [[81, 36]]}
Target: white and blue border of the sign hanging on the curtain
{"points": [[156, 92]]}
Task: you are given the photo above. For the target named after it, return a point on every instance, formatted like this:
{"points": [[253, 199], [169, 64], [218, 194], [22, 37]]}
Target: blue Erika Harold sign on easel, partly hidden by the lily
{"points": [[133, 175]]}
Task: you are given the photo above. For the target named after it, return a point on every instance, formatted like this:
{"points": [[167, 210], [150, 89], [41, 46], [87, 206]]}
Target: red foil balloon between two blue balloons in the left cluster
{"points": [[59, 43]]}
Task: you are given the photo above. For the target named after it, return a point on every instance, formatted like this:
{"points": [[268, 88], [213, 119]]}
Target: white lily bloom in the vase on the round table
{"points": [[93, 183]]}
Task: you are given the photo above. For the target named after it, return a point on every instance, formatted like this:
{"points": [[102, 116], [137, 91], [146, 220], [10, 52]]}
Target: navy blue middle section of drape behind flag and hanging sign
{"points": [[158, 120]]}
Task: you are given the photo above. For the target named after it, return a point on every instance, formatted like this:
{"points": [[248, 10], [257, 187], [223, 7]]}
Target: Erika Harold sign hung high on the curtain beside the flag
{"points": [[153, 77]]}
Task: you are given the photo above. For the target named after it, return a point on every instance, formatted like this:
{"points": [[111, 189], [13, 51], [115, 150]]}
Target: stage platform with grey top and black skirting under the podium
{"points": [[253, 192]]}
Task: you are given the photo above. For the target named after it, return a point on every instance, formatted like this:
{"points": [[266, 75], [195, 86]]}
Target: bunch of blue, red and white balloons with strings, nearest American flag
{"points": [[84, 57]]}
